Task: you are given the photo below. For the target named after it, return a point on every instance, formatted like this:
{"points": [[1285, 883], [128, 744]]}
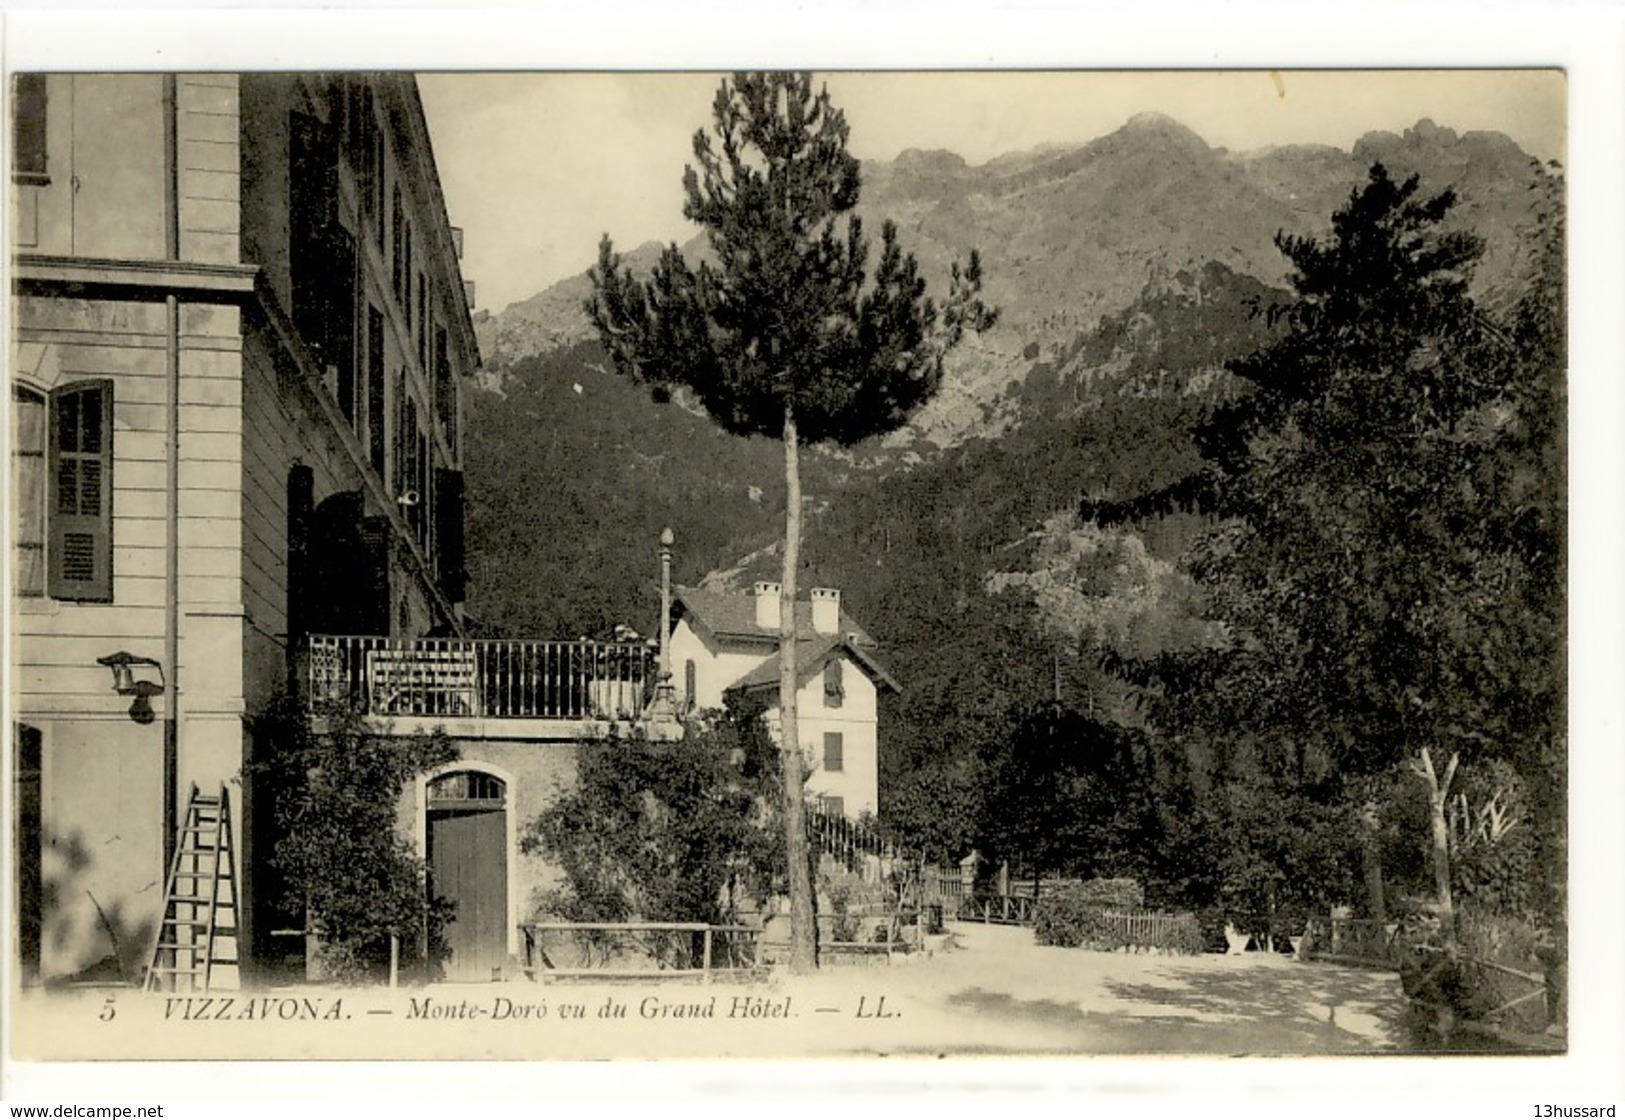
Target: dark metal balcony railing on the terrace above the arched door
{"points": [[457, 679]]}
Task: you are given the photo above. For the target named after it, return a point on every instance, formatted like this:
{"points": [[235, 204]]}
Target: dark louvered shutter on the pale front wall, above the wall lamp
{"points": [[80, 547]]}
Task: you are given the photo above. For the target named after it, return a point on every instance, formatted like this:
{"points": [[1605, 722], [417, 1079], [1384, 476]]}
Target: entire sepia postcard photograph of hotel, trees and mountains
{"points": [[846, 565]]}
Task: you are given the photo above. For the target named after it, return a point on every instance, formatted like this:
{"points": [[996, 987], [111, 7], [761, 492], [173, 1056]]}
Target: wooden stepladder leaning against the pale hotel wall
{"points": [[201, 901]]}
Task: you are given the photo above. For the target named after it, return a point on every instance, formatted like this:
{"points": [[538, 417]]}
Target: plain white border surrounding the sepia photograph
{"points": [[1584, 38]]}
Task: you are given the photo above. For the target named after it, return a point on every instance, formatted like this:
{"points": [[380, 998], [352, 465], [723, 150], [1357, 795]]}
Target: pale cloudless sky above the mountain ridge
{"points": [[537, 167]]}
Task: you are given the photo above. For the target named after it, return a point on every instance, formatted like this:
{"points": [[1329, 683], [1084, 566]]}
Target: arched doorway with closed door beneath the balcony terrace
{"points": [[467, 851]]}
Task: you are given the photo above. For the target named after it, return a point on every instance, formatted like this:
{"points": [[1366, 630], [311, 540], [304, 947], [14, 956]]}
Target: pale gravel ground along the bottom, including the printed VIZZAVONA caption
{"points": [[989, 992]]}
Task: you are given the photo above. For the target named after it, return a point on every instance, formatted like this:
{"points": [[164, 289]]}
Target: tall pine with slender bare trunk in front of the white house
{"points": [[787, 336]]}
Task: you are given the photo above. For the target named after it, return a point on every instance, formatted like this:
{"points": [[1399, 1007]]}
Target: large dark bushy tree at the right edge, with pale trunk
{"points": [[1384, 593]]}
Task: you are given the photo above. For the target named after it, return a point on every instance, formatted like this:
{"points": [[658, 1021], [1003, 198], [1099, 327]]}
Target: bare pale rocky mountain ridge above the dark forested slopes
{"points": [[1072, 233]]}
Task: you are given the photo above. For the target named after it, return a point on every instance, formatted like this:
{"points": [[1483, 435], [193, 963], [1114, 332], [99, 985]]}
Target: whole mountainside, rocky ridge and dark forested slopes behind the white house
{"points": [[1132, 274]]}
